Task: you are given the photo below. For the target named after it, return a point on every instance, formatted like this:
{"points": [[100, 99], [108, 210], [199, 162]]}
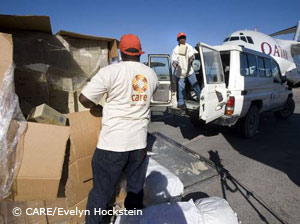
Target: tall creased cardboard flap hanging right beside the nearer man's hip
{"points": [[84, 132]]}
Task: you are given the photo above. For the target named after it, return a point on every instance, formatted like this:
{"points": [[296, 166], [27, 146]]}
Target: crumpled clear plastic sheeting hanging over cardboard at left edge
{"points": [[13, 125]]}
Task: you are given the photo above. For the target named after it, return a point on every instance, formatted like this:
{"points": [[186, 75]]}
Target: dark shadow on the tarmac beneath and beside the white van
{"points": [[277, 144]]}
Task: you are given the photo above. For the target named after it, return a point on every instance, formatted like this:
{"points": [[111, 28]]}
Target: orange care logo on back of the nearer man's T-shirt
{"points": [[139, 86]]}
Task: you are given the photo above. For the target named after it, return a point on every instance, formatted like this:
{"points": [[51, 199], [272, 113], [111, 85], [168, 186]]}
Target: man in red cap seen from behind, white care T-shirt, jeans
{"points": [[122, 142]]}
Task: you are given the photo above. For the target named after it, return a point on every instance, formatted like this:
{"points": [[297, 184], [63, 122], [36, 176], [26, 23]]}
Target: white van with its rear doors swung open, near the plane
{"points": [[236, 85]]}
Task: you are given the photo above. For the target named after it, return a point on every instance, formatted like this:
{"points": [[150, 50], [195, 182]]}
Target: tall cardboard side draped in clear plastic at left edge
{"points": [[12, 122]]}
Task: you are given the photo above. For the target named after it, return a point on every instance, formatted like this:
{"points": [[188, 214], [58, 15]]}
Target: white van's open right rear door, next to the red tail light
{"points": [[213, 95]]}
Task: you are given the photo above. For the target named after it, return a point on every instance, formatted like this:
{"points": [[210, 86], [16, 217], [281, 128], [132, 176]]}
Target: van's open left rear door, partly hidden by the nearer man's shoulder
{"points": [[161, 64]]}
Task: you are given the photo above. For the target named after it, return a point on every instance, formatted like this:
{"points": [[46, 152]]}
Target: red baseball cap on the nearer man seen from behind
{"points": [[130, 44]]}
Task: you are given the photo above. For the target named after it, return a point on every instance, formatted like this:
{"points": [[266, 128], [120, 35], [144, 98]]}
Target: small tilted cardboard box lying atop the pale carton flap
{"points": [[47, 115]]}
